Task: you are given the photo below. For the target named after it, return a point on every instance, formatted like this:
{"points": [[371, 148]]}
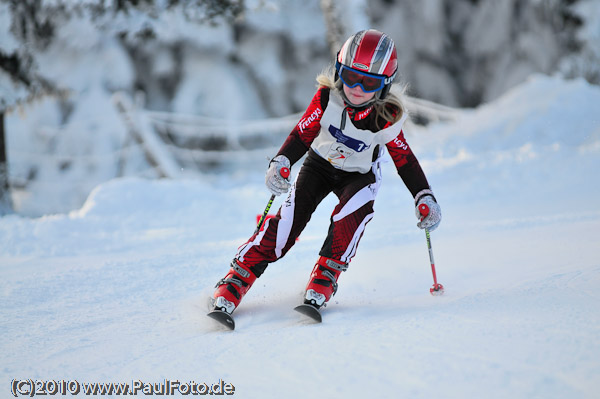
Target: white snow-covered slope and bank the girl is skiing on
{"points": [[116, 291]]}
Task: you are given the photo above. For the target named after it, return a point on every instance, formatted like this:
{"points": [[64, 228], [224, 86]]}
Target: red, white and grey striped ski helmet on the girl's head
{"points": [[371, 53]]}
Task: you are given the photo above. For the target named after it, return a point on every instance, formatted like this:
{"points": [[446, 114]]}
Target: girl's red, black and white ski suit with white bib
{"points": [[344, 151]]}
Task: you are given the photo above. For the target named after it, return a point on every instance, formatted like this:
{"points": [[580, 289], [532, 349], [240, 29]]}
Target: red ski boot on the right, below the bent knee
{"points": [[323, 281]]}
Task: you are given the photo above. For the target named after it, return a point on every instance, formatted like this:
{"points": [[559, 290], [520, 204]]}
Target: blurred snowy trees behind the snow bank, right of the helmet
{"points": [[464, 52]]}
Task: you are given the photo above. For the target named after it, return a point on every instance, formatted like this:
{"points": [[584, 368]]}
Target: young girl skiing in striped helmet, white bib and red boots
{"points": [[349, 123]]}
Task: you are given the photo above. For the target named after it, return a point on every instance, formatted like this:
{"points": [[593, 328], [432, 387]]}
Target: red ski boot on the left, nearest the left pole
{"points": [[232, 288]]}
